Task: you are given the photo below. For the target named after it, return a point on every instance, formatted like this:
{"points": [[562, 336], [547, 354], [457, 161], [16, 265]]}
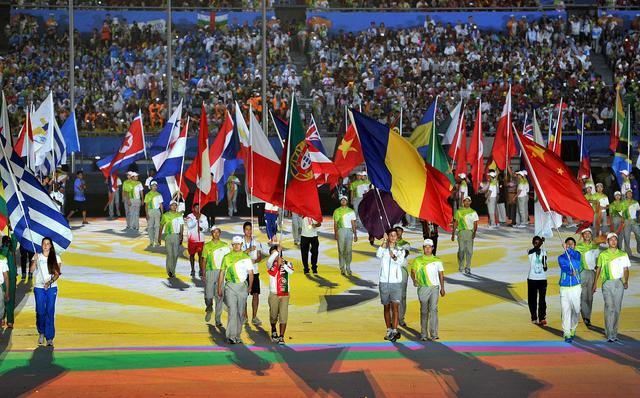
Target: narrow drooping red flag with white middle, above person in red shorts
{"points": [[199, 172]]}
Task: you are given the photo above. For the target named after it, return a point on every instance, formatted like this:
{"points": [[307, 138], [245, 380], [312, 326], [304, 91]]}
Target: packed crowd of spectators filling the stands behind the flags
{"points": [[380, 69]]}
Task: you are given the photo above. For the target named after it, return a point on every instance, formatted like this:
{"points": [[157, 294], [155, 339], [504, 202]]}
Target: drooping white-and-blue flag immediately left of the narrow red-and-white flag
{"points": [[169, 175]]}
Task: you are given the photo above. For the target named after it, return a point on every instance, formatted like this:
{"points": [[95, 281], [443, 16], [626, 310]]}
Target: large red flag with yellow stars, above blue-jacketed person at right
{"points": [[557, 188]]}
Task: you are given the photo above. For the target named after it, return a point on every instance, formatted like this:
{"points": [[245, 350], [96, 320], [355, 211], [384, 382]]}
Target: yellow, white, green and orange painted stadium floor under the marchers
{"points": [[123, 328]]}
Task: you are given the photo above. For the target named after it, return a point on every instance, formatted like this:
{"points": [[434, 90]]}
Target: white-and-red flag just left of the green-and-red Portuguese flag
{"points": [[262, 165]]}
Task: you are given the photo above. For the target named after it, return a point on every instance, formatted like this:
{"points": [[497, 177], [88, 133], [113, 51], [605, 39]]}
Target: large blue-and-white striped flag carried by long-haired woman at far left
{"points": [[31, 211]]}
